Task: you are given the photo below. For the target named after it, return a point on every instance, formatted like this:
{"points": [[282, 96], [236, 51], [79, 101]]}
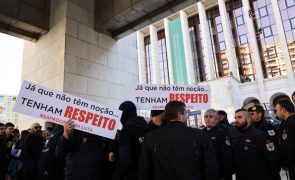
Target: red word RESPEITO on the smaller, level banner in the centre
{"points": [[189, 98]]}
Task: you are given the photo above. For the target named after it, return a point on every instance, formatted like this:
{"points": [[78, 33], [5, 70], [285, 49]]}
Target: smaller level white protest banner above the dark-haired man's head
{"points": [[156, 96]]}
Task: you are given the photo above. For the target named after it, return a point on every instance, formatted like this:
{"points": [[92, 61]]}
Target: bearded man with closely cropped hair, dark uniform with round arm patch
{"points": [[256, 156]]}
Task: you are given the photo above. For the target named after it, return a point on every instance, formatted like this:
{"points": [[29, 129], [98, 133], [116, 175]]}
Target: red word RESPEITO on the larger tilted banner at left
{"points": [[85, 117]]}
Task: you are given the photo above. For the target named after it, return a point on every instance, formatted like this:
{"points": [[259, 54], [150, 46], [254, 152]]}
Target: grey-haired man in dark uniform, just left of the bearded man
{"points": [[221, 144]]}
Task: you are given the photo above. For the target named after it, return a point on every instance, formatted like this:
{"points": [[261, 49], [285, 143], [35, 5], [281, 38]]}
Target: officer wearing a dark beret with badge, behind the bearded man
{"points": [[257, 118]]}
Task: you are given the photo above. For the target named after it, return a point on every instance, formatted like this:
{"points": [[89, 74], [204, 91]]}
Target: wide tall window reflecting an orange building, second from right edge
{"points": [[268, 39]]}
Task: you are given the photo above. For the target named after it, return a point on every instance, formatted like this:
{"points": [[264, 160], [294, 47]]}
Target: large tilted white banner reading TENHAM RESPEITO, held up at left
{"points": [[44, 103]]}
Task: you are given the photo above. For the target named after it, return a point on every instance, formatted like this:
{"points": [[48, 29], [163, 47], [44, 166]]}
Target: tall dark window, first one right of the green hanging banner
{"points": [[197, 48]]}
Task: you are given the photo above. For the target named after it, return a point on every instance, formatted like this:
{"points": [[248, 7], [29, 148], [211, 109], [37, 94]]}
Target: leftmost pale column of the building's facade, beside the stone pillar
{"points": [[141, 58]]}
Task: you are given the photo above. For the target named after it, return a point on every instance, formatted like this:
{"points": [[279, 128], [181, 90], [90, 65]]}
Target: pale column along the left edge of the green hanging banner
{"points": [[168, 46]]}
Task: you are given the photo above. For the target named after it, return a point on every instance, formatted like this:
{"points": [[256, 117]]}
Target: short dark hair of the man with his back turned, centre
{"points": [[173, 108]]}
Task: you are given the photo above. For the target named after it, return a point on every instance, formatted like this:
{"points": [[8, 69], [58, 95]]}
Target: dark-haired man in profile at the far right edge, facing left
{"points": [[286, 112]]}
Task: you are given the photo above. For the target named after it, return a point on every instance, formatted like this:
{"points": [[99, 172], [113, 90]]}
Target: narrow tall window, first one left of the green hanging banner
{"points": [[164, 73]]}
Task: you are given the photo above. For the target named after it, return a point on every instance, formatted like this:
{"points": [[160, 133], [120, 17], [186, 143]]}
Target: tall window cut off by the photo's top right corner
{"points": [[287, 10]]}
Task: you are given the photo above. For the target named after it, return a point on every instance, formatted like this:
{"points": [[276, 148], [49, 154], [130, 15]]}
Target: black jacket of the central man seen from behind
{"points": [[177, 152]]}
